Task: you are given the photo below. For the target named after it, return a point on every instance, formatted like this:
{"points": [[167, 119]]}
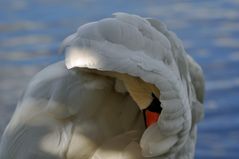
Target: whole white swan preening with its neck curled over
{"points": [[126, 90]]}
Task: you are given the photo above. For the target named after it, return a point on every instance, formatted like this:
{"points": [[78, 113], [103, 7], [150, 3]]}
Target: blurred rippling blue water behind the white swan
{"points": [[32, 31]]}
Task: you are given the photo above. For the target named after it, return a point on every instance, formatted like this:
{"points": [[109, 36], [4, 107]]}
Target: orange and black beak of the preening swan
{"points": [[152, 112]]}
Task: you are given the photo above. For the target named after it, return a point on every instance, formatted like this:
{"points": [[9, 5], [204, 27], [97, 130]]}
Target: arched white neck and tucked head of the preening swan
{"points": [[149, 59]]}
